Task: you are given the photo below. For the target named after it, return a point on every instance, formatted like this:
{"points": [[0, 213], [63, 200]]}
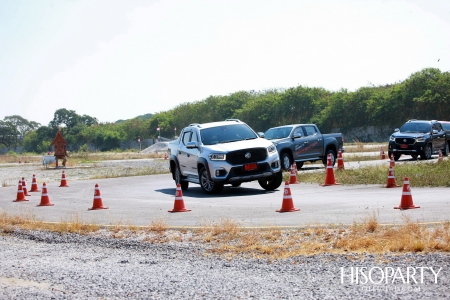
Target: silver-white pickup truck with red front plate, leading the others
{"points": [[218, 153]]}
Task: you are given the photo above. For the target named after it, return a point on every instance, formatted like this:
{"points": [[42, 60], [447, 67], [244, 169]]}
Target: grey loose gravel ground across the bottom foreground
{"points": [[44, 265]]}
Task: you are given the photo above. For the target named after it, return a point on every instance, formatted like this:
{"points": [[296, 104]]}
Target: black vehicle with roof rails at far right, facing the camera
{"points": [[419, 137]]}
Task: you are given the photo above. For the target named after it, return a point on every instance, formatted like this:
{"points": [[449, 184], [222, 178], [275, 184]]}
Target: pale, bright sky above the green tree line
{"points": [[119, 59]]}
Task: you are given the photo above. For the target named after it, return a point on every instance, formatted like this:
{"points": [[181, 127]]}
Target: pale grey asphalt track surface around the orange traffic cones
{"points": [[139, 200]]}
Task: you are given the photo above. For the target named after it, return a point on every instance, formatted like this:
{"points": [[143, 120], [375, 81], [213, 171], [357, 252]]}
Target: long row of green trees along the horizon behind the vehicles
{"points": [[423, 95]]}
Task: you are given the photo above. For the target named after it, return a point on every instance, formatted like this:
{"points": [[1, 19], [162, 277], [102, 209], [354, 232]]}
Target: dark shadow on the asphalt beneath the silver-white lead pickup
{"points": [[228, 191]]}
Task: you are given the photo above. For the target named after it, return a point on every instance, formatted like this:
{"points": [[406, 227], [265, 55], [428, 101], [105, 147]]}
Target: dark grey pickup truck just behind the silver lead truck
{"points": [[304, 142]]}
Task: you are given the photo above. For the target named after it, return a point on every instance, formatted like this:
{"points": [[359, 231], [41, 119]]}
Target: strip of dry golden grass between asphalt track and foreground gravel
{"points": [[228, 239]]}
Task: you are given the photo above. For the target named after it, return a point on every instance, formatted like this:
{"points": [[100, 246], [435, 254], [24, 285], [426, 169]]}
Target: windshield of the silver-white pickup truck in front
{"points": [[226, 134]]}
